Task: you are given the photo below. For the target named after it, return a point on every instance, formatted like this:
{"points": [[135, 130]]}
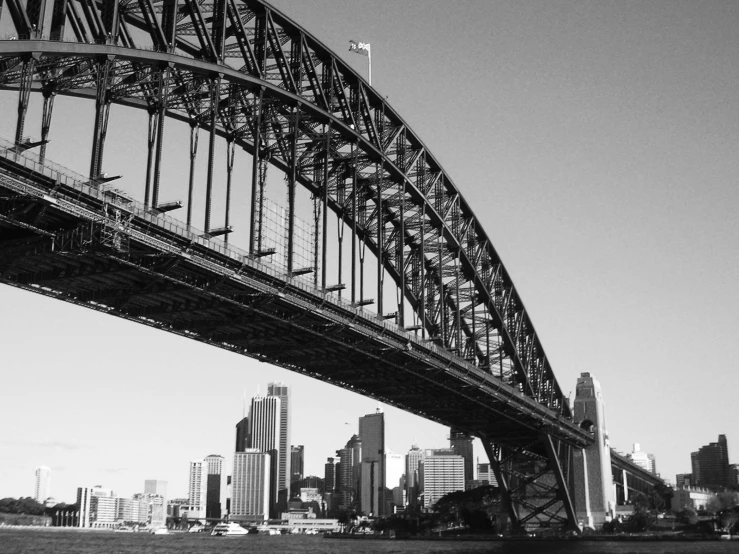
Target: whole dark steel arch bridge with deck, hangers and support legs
{"points": [[461, 349]]}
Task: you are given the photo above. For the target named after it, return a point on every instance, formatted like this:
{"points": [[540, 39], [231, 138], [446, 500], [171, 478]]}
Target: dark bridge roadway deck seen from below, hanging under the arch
{"points": [[82, 243]]}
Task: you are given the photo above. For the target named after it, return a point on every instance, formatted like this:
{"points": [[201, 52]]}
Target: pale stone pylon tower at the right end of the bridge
{"points": [[594, 496]]}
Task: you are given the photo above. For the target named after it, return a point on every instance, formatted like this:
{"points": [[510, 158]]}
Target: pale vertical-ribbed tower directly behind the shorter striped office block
{"points": [[264, 428]]}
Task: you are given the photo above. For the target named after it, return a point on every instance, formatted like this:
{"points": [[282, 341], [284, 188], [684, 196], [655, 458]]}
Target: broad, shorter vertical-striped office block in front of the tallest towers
{"points": [[250, 486]]}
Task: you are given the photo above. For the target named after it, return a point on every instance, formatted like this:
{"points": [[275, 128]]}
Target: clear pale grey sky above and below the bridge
{"points": [[597, 142]]}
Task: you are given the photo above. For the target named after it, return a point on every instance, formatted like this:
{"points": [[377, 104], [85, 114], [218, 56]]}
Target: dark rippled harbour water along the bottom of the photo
{"points": [[60, 541]]}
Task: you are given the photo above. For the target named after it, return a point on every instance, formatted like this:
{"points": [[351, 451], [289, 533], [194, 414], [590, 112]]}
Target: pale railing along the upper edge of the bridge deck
{"points": [[113, 197]]}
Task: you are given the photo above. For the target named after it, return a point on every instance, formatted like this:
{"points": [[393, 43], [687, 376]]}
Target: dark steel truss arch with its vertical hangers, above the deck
{"points": [[243, 71]]}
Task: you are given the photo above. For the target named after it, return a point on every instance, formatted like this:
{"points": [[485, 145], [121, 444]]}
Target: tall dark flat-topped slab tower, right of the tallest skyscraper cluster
{"points": [[372, 435]]}
